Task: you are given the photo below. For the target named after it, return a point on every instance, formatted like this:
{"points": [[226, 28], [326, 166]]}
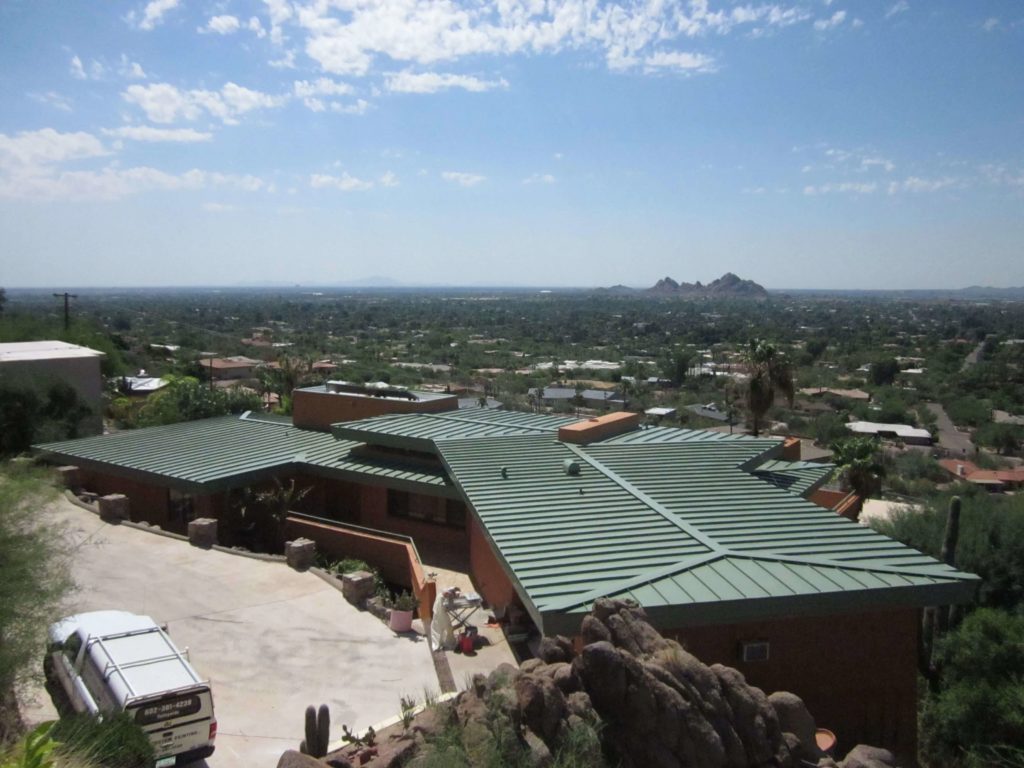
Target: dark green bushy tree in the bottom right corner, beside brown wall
{"points": [[979, 710]]}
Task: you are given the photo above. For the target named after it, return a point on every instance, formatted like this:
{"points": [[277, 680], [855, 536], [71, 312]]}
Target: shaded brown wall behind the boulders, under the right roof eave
{"points": [[858, 673]]}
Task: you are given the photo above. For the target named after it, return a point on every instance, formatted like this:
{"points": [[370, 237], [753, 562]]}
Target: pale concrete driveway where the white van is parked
{"points": [[272, 641]]}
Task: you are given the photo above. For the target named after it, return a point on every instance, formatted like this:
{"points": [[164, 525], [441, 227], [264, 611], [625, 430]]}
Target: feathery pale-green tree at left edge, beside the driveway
{"points": [[34, 576]]}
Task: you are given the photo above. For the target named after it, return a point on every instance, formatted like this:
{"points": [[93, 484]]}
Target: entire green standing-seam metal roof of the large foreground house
{"points": [[697, 527]]}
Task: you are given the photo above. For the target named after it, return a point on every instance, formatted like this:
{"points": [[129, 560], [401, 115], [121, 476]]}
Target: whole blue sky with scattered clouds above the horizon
{"points": [[807, 145]]}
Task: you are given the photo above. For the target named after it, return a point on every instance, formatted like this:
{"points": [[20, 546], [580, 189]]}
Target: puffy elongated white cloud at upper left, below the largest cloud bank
{"points": [[163, 103]]}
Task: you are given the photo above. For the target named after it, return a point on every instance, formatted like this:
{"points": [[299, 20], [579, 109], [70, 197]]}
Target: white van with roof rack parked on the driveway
{"points": [[112, 661]]}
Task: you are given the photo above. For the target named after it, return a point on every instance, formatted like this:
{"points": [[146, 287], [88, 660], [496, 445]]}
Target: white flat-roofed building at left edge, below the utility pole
{"points": [[40, 364]]}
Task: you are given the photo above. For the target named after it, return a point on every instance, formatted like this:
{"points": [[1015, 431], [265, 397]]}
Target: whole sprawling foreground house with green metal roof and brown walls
{"points": [[713, 534]]}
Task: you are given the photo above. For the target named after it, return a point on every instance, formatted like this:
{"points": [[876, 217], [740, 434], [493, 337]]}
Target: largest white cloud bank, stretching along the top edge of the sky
{"points": [[348, 38]]}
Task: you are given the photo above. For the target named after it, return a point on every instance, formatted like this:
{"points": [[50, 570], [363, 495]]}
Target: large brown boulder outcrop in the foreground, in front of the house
{"points": [[630, 698]]}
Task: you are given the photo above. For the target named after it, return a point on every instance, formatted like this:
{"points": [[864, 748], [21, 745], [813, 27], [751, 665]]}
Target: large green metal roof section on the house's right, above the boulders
{"points": [[685, 525]]}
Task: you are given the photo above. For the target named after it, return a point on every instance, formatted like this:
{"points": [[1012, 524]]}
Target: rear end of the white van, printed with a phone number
{"points": [[179, 724]]}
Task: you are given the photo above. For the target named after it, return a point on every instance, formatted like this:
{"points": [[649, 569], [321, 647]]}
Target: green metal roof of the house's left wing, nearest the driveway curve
{"points": [[227, 452]]}
